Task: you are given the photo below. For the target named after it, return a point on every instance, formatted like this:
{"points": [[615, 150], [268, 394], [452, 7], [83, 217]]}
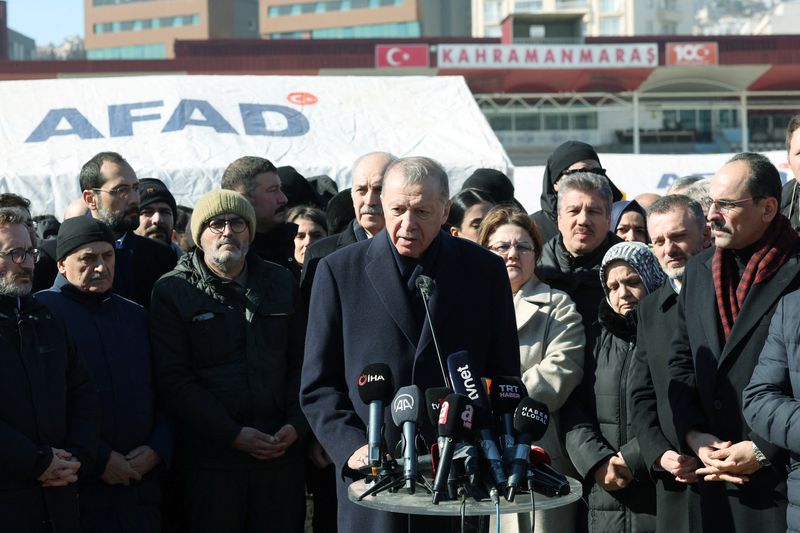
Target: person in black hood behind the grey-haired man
{"points": [[569, 156]]}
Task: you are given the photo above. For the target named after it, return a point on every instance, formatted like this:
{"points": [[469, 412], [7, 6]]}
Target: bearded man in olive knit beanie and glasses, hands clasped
{"points": [[227, 330]]}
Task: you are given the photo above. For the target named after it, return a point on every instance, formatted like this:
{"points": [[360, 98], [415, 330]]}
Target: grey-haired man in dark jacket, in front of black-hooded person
{"points": [[571, 260]]}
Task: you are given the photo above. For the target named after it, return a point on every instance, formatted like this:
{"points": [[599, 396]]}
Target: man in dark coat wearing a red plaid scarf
{"points": [[724, 310]]}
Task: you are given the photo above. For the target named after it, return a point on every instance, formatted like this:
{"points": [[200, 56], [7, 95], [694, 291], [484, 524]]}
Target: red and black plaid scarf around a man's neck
{"points": [[772, 251]]}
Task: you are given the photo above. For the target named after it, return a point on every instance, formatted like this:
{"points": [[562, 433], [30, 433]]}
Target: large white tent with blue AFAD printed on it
{"points": [[185, 130]]}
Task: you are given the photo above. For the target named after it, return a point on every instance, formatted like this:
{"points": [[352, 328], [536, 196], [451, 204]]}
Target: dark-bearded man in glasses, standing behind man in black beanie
{"points": [[111, 191]]}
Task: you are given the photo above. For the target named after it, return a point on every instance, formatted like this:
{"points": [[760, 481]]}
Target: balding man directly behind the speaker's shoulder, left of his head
{"points": [[367, 175]]}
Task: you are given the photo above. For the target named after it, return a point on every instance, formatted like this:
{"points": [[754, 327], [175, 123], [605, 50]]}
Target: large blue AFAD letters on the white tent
{"points": [[200, 113]]}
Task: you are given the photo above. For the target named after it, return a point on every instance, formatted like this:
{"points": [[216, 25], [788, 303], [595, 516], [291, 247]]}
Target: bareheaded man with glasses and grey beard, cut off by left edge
{"points": [[49, 422]]}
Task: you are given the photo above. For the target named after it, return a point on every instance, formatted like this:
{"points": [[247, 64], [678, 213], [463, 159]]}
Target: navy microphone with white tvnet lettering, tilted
{"points": [[467, 381]]}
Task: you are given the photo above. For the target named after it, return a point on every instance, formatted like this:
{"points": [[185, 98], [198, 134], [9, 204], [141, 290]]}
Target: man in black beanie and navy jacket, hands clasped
{"points": [[122, 492]]}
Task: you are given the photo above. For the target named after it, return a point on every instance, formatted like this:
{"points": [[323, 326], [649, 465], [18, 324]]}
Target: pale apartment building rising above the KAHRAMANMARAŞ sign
{"points": [[600, 17]]}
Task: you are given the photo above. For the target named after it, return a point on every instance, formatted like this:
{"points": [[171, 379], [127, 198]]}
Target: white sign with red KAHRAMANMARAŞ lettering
{"points": [[541, 56]]}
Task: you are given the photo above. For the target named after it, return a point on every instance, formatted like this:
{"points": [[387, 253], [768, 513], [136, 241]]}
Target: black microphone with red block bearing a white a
{"points": [[455, 424]]}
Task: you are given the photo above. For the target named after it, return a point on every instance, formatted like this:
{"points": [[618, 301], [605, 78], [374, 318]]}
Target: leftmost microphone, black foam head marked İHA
{"points": [[376, 389]]}
